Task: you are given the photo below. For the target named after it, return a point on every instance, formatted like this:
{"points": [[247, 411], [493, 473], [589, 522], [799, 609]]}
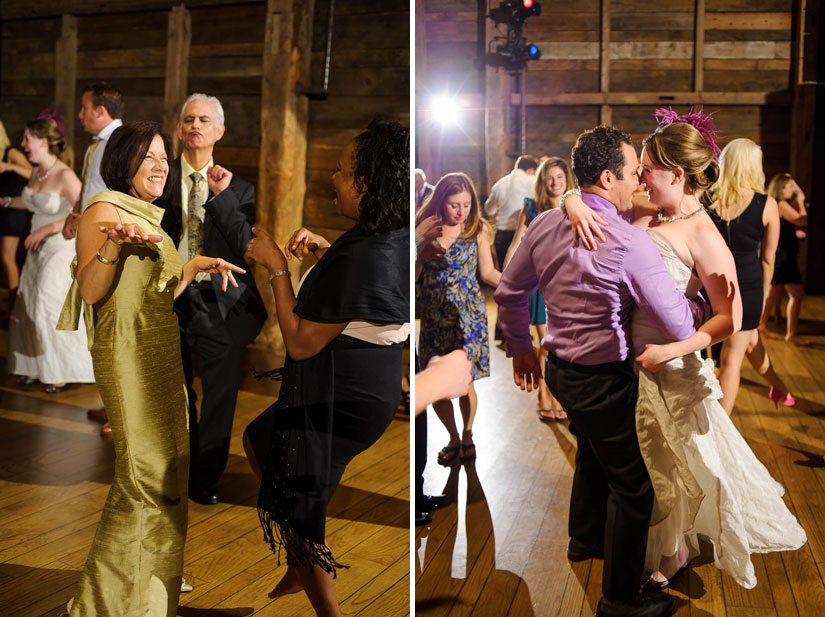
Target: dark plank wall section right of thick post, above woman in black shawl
{"points": [[369, 76]]}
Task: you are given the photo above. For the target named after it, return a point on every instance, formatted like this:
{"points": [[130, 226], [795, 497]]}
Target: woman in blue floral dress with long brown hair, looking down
{"points": [[449, 301]]}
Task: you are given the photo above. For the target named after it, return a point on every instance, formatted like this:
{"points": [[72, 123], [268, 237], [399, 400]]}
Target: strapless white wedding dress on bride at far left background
{"points": [[35, 347]]}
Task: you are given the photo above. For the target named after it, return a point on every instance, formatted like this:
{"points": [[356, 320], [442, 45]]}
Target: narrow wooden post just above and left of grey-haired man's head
{"points": [[177, 69]]}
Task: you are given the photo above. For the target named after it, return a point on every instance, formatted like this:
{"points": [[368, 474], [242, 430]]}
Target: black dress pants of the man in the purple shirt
{"points": [[612, 495]]}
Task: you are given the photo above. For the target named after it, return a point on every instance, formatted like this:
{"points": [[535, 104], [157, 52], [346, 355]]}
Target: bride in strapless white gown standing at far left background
{"points": [[36, 348]]}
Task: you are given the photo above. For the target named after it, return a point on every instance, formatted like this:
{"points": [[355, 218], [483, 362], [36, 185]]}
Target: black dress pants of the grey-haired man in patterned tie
{"points": [[206, 340]]}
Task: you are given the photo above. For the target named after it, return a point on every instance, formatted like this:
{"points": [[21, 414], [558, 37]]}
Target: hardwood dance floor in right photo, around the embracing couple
{"points": [[499, 548]]}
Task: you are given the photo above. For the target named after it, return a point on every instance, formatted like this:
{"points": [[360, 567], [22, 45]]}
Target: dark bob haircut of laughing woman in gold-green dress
{"points": [[124, 154]]}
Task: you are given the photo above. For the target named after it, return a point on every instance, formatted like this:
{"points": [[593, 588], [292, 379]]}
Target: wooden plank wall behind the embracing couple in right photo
{"points": [[742, 53]]}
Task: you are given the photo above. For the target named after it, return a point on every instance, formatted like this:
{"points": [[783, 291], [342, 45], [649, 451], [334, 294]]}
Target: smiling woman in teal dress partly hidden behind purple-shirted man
{"points": [[553, 178]]}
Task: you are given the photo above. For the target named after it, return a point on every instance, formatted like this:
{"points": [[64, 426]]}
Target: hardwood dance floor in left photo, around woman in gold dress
{"points": [[55, 471]]}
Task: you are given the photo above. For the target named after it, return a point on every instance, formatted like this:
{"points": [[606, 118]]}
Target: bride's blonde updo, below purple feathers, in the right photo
{"points": [[681, 145]]}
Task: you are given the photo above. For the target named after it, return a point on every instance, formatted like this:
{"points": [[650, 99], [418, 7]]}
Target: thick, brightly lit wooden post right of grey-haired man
{"points": [[284, 120]]}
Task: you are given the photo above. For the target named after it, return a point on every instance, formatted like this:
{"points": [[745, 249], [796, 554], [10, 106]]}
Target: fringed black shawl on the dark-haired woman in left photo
{"points": [[361, 277]]}
